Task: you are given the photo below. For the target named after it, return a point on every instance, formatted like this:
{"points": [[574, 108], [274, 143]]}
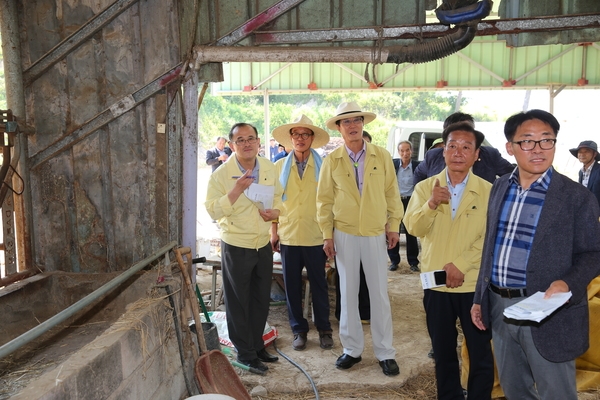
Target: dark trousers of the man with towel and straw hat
{"points": [[293, 260]]}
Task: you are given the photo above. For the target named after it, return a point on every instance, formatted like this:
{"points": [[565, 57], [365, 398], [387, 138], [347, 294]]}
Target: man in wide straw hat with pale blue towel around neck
{"points": [[297, 234]]}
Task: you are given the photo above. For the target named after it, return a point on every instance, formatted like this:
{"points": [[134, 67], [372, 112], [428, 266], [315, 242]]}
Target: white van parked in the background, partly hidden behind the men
{"points": [[420, 134]]}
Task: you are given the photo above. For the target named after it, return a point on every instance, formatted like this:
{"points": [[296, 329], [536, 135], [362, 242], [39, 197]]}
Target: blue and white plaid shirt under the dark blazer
{"points": [[516, 229]]}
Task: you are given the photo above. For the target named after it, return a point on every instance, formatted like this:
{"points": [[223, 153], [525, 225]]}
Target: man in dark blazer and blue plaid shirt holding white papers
{"points": [[543, 235]]}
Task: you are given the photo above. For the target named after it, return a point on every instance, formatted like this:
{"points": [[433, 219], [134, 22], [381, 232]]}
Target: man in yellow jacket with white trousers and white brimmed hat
{"points": [[359, 208]]}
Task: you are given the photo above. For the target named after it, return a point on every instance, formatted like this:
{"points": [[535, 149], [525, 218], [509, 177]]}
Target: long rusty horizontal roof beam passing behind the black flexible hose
{"points": [[484, 28]]}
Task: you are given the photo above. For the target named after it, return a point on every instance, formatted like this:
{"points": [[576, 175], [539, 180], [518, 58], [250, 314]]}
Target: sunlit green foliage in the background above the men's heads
{"points": [[219, 113]]}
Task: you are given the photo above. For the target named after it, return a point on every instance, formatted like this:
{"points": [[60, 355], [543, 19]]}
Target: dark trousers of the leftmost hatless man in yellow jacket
{"points": [[247, 277]]}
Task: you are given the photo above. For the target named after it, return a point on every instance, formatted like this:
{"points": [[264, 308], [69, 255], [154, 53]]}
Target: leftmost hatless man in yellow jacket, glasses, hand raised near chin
{"points": [[246, 253]]}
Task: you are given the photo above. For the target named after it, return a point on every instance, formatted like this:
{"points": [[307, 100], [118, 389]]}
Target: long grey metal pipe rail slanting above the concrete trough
{"points": [[68, 312]]}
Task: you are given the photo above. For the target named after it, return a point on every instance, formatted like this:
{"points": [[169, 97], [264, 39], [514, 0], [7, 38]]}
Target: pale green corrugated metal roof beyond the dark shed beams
{"points": [[484, 63]]}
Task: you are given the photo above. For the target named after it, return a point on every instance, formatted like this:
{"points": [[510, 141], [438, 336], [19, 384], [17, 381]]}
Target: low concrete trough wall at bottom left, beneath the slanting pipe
{"points": [[134, 361]]}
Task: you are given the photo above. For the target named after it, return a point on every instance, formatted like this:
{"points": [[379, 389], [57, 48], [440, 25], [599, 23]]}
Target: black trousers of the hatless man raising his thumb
{"points": [[441, 311]]}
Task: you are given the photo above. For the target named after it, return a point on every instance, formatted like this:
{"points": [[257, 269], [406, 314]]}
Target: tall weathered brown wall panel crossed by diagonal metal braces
{"points": [[95, 203]]}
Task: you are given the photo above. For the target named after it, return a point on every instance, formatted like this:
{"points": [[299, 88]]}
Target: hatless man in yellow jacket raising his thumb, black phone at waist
{"points": [[448, 212]]}
